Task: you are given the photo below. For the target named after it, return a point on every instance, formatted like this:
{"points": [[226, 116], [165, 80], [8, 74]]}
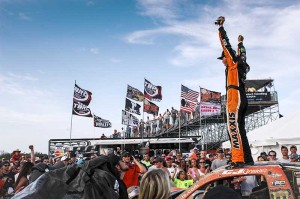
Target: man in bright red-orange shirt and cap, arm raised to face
{"points": [[131, 175]]}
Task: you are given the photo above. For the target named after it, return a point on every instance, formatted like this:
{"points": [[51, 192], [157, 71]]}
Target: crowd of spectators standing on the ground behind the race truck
{"points": [[181, 171]]}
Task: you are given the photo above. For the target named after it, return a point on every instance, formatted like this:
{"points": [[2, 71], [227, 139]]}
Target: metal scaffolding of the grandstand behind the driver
{"points": [[210, 132]]}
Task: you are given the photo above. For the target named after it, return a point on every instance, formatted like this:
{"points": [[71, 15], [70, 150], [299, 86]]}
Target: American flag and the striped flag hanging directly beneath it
{"points": [[188, 99]]}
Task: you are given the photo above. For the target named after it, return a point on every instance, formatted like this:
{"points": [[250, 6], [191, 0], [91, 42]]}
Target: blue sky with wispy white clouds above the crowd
{"points": [[104, 45]]}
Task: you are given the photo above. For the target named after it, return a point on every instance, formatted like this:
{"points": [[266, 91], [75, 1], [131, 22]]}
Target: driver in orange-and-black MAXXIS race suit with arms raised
{"points": [[236, 106]]}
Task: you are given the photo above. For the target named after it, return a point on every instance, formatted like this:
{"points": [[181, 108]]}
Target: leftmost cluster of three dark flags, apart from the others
{"points": [[81, 101]]}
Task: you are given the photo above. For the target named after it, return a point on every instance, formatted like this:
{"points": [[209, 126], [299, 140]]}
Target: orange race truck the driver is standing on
{"points": [[275, 181]]}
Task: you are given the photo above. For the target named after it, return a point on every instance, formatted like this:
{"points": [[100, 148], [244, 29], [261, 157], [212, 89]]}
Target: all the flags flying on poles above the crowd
{"points": [[206, 102]]}
